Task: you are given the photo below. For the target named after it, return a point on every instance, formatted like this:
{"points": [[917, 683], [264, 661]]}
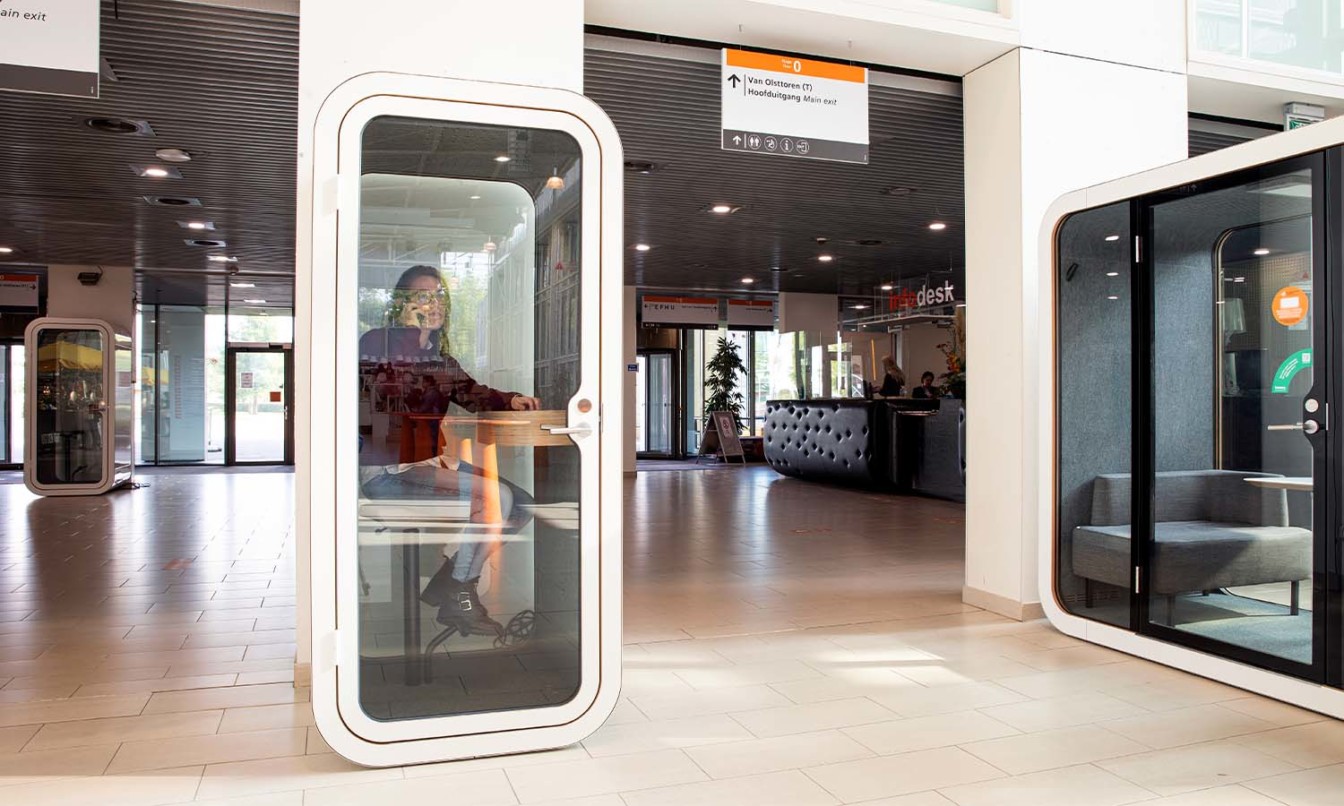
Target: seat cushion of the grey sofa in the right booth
{"points": [[1198, 555]]}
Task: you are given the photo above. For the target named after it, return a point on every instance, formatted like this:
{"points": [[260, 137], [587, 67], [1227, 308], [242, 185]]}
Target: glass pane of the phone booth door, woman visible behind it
{"points": [[468, 331]]}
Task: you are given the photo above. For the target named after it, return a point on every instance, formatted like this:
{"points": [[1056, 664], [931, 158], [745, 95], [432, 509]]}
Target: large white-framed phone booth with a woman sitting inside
{"points": [[467, 292]]}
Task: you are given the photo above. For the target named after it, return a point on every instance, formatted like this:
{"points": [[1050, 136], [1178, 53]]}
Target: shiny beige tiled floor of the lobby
{"points": [[787, 644]]}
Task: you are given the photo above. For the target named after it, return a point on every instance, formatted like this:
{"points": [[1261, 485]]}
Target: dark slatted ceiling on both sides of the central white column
{"points": [[222, 84]]}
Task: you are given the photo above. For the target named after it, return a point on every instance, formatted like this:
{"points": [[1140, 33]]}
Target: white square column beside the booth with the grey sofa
{"points": [[1038, 124]]}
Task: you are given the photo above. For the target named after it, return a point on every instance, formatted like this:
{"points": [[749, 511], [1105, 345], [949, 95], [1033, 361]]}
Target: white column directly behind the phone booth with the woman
{"points": [[540, 45]]}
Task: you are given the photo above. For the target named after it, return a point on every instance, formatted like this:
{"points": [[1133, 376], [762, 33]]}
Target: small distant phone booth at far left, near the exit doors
{"points": [[80, 408]]}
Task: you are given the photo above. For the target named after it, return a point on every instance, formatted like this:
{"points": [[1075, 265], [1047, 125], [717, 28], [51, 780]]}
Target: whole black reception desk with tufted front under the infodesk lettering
{"points": [[898, 444]]}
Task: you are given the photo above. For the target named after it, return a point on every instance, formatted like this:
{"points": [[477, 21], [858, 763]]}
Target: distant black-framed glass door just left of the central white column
{"points": [[257, 408]]}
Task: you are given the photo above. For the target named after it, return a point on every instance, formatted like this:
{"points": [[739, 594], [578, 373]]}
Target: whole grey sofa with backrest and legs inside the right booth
{"points": [[1213, 531]]}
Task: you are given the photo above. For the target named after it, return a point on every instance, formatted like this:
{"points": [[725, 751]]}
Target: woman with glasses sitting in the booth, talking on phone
{"points": [[420, 337]]}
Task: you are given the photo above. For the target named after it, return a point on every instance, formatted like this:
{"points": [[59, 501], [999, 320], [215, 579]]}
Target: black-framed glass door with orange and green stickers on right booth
{"points": [[1233, 537]]}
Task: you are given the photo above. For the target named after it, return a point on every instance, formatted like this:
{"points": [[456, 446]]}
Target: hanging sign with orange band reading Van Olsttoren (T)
{"points": [[795, 108]]}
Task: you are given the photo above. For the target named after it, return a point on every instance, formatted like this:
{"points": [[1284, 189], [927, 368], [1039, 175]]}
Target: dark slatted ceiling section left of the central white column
{"points": [[224, 85]]}
